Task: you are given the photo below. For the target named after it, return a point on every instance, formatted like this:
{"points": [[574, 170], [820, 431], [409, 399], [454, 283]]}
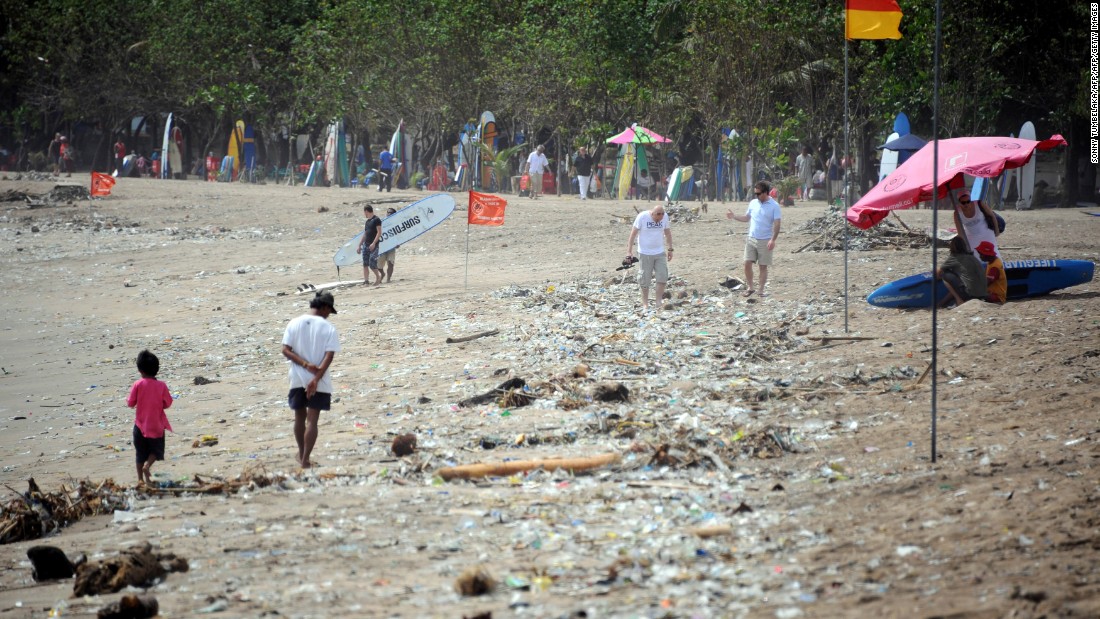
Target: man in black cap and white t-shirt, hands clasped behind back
{"points": [[310, 344]]}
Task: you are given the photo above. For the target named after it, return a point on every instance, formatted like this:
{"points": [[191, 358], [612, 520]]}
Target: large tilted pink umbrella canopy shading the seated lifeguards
{"points": [[911, 184]]}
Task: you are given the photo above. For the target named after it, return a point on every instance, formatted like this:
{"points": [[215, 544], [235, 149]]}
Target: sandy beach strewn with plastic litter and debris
{"points": [[765, 472]]}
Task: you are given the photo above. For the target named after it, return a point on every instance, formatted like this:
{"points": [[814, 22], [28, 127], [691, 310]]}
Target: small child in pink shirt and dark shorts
{"points": [[149, 397]]}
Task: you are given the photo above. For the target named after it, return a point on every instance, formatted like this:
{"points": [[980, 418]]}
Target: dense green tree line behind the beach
{"points": [[574, 72]]}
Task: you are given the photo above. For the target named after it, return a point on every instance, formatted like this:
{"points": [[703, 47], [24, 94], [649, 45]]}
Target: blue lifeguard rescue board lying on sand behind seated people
{"points": [[1027, 279]]}
